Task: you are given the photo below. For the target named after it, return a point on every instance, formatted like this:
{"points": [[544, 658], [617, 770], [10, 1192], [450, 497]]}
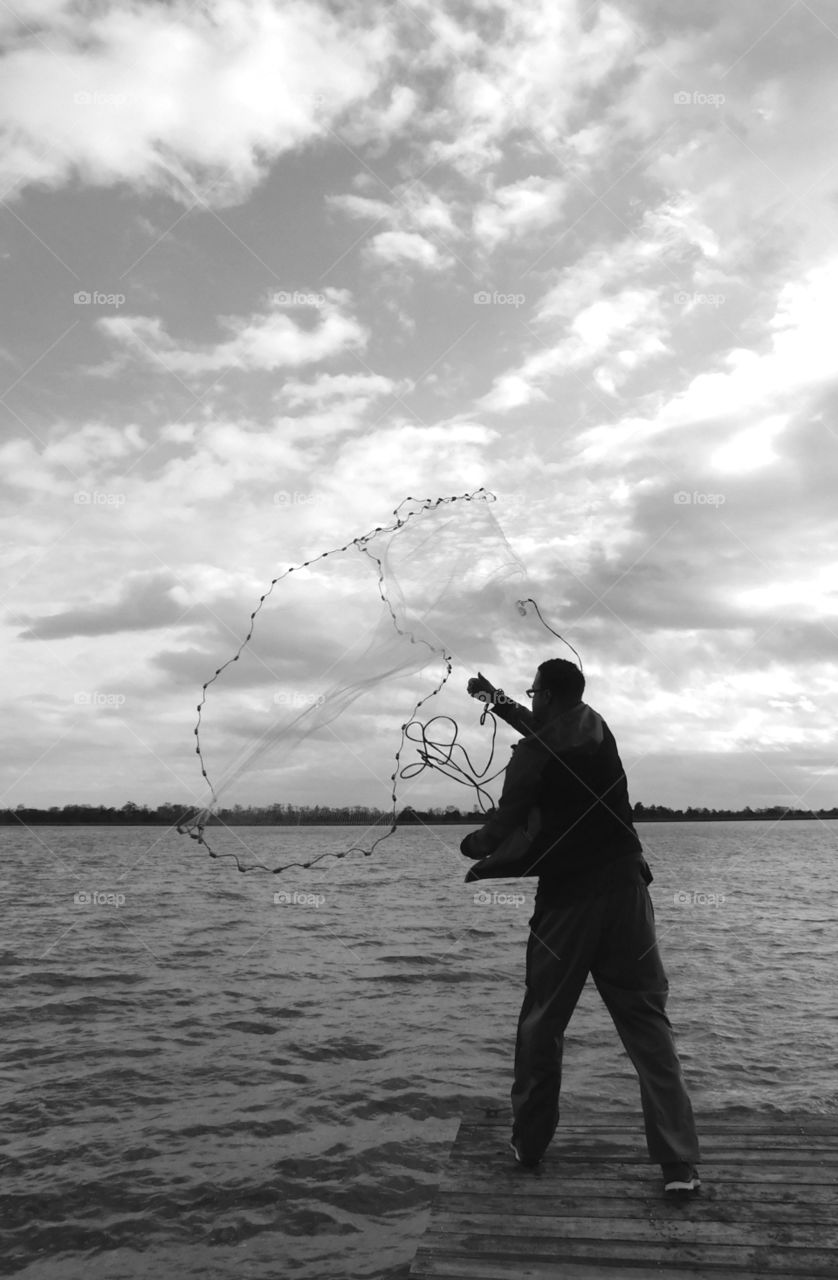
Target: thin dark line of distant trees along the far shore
{"points": [[327, 816]]}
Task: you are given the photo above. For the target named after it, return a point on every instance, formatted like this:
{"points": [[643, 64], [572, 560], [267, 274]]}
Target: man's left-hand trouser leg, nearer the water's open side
{"points": [[560, 952]]}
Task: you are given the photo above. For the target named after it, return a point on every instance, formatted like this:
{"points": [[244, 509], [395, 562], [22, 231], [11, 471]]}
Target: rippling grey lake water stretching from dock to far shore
{"points": [[202, 1082]]}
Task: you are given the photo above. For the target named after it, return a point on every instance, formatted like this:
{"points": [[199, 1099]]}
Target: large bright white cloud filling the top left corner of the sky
{"points": [[180, 97]]}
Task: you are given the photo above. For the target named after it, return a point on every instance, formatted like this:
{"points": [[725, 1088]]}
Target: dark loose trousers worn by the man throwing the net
{"points": [[611, 936]]}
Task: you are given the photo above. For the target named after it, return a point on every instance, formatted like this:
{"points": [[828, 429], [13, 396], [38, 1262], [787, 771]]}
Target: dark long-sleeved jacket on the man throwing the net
{"points": [[565, 813]]}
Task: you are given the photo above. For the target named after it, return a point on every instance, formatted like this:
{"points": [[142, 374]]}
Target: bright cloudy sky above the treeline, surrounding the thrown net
{"points": [[269, 268]]}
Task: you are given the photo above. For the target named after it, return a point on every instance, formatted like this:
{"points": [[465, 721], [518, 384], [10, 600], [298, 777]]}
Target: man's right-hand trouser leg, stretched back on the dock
{"points": [[631, 980]]}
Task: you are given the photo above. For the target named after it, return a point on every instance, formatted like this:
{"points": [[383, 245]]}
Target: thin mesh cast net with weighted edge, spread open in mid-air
{"points": [[351, 682]]}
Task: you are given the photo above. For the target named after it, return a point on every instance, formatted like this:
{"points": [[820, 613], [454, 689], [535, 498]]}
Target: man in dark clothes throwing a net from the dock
{"points": [[566, 817]]}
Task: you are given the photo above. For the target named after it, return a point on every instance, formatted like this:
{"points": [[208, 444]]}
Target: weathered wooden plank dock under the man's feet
{"points": [[596, 1208]]}
